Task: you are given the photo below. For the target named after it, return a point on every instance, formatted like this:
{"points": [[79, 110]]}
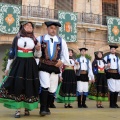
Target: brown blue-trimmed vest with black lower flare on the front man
{"points": [[48, 61]]}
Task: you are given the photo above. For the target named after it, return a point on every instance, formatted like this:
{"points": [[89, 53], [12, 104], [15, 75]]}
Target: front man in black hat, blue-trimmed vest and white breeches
{"points": [[54, 54]]}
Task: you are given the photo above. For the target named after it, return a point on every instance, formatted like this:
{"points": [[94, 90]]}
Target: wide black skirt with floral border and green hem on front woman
{"points": [[20, 88]]}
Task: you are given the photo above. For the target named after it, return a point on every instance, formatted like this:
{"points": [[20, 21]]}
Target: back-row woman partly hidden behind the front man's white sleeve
{"points": [[66, 92]]}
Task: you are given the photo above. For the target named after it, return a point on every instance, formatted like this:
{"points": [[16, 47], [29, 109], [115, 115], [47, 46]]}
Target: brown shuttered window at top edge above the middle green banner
{"points": [[66, 5]]}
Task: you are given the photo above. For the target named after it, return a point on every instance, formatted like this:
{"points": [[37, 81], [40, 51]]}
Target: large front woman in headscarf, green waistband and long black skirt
{"points": [[20, 88]]}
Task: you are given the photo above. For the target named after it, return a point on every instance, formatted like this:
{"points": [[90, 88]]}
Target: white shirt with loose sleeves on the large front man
{"points": [[64, 56]]}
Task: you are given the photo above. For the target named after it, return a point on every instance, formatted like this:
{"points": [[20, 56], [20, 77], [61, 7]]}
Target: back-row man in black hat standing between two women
{"points": [[84, 75]]}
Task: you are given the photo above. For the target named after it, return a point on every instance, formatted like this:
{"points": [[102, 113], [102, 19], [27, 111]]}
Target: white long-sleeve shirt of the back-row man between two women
{"points": [[86, 66]]}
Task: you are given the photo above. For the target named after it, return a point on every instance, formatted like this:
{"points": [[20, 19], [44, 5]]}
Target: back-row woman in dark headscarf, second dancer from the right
{"points": [[99, 89]]}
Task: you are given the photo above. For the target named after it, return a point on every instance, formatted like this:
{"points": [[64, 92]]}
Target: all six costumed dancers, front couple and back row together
{"points": [[35, 65]]}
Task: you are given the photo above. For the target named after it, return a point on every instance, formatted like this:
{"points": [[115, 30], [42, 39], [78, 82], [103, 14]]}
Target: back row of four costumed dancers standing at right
{"points": [[99, 80]]}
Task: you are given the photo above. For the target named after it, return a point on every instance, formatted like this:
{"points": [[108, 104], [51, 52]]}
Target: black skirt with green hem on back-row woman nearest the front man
{"points": [[66, 92]]}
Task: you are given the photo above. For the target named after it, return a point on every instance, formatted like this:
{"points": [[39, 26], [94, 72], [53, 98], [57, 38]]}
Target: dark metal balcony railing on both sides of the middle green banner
{"points": [[41, 12]]}
